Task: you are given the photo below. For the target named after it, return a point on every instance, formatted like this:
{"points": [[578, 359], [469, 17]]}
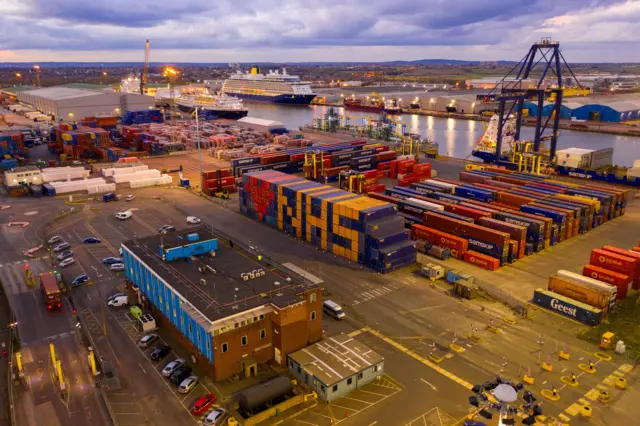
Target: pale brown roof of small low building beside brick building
{"points": [[336, 358]]}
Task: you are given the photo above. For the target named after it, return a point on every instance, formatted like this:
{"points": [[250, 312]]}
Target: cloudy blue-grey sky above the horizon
{"points": [[312, 30]]}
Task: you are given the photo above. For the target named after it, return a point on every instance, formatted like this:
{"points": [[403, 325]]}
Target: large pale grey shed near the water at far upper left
{"points": [[71, 104]]}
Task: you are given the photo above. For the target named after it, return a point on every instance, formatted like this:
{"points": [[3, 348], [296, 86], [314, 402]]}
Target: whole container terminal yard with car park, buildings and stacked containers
{"points": [[161, 271]]}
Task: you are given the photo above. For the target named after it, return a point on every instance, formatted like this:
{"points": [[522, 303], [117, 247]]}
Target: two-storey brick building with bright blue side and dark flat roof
{"points": [[231, 312]]}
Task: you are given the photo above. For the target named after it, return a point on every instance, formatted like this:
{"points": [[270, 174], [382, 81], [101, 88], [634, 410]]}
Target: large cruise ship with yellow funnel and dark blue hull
{"points": [[276, 87]]}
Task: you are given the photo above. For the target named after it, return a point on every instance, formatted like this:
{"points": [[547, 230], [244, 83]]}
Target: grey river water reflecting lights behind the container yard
{"points": [[455, 137]]}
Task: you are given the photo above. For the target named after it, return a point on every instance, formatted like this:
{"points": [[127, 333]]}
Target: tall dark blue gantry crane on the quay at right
{"points": [[513, 91]]}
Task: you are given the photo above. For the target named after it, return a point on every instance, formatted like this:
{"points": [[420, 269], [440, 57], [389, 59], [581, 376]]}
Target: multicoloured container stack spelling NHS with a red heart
{"points": [[358, 228]]}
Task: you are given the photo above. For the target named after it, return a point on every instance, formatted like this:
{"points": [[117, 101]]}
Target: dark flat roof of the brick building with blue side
{"points": [[225, 293]]}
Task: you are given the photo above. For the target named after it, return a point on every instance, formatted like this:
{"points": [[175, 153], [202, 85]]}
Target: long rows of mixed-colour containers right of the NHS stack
{"points": [[508, 215]]}
